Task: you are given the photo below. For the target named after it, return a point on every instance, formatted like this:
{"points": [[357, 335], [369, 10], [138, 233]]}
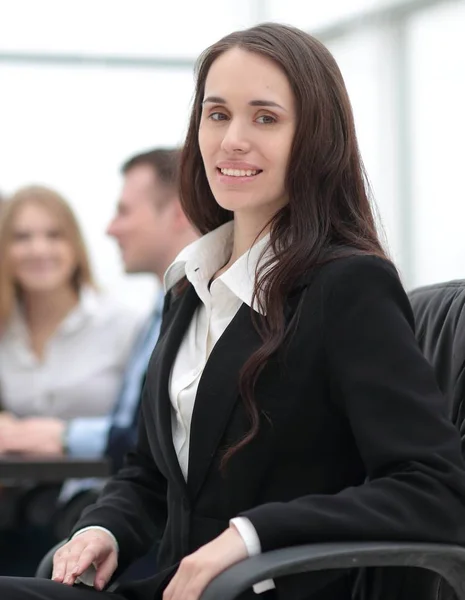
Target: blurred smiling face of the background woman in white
{"points": [[41, 258]]}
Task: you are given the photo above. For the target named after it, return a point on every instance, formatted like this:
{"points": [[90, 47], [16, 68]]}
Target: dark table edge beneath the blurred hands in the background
{"points": [[50, 469]]}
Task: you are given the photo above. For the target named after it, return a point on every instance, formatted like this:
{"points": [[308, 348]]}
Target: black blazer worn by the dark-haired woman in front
{"points": [[354, 442]]}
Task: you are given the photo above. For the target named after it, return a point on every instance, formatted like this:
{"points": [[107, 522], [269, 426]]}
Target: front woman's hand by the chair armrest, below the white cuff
{"points": [[198, 569]]}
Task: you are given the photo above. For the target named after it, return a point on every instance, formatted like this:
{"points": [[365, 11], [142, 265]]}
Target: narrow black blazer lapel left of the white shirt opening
{"points": [[177, 320]]}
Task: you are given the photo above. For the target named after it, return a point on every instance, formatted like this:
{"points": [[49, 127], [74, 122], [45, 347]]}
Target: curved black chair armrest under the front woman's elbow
{"points": [[447, 561]]}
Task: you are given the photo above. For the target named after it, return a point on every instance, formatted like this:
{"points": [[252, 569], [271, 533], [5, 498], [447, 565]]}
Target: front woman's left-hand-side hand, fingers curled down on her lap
{"points": [[93, 547]]}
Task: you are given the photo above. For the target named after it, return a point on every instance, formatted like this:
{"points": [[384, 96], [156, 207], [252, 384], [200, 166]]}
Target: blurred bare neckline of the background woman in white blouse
{"points": [[46, 310]]}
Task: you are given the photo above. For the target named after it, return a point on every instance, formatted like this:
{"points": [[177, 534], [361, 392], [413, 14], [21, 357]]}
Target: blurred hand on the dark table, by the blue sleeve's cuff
{"points": [[36, 435]]}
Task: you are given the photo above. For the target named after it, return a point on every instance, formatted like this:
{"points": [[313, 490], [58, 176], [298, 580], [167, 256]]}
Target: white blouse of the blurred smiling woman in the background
{"points": [[81, 372]]}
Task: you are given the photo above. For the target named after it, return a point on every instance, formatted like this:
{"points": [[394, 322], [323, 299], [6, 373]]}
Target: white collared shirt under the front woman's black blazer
{"points": [[220, 301]]}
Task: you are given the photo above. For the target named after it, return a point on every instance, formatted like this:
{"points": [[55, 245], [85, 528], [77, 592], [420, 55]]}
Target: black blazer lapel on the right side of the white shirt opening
{"points": [[217, 394]]}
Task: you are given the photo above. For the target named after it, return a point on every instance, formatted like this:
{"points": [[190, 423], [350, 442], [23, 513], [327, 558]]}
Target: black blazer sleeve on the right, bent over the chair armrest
{"points": [[415, 486]]}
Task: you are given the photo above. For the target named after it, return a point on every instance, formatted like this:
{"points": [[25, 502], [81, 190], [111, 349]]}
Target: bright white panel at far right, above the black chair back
{"points": [[438, 137]]}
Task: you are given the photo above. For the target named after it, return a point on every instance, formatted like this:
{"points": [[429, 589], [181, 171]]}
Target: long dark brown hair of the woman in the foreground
{"points": [[328, 214]]}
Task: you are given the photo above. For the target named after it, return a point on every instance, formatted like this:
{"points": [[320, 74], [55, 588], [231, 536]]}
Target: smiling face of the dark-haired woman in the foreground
{"points": [[246, 131]]}
